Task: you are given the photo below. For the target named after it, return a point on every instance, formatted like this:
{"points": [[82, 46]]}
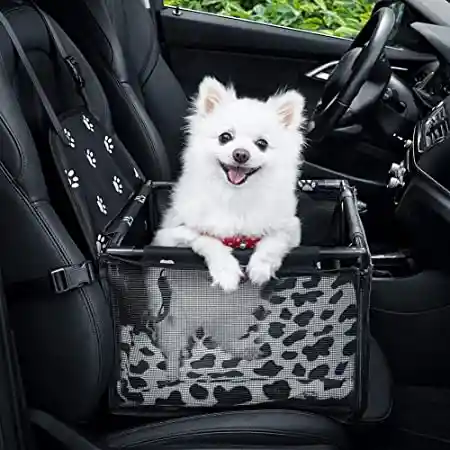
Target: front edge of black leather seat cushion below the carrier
{"points": [[260, 429]]}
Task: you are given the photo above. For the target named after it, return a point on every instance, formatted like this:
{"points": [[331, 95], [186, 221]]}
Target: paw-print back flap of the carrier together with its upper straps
{"points": [[98, 173]]}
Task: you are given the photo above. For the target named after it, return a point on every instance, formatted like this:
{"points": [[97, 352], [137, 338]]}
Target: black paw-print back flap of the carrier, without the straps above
{"points": [[97, 173]]}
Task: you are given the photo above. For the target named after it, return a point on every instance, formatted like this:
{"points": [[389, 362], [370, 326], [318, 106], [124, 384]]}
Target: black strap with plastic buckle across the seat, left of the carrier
{"points": [[58, 281]]}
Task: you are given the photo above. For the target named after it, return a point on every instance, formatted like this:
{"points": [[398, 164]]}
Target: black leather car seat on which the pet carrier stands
{"points": [[66, 341]]}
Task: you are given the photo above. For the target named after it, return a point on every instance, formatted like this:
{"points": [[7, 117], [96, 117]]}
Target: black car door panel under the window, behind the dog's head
{"points": [[258, 58]]}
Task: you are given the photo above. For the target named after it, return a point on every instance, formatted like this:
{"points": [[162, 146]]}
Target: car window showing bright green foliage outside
{"points": [[343, 18]]}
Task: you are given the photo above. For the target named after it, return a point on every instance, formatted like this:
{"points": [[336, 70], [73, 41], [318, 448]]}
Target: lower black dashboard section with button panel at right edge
{"points": [[422, 181]]}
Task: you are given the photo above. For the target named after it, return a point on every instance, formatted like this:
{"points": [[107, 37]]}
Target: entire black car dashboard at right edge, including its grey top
{"points": [[421, 180]]}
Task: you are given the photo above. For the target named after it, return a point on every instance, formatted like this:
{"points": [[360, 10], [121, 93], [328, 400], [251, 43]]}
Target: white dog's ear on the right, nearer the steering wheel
{"points": [[289, 107]]}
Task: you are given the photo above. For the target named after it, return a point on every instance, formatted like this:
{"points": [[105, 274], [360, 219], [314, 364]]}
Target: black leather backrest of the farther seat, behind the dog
{"points": [[140, 86]]}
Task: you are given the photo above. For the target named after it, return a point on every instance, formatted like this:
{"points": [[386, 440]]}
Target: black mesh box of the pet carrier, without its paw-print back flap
{"points": [[299, 341]]}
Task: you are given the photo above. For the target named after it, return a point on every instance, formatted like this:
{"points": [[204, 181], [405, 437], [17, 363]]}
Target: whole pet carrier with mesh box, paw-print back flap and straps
{"points": [[299, 341]]}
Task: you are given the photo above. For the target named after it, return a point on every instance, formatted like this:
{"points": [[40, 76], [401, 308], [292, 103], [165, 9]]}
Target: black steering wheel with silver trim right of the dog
{"points": [[358, 80]]}
